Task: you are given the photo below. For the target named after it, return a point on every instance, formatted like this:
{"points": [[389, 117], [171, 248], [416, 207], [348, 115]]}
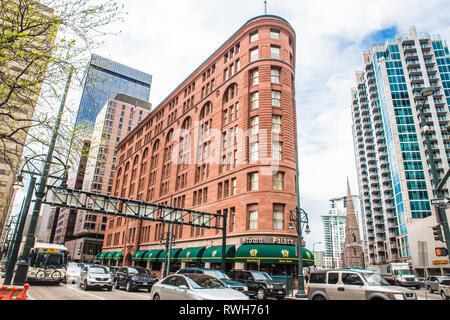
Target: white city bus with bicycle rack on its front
{"points": [[48, 263]]}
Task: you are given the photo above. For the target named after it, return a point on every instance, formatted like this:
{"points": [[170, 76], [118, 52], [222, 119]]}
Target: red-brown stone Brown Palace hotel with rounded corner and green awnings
{"points": [[222, 142]]}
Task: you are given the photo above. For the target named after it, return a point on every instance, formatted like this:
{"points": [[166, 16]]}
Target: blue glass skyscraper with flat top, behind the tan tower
{"points": [[104, 80]]}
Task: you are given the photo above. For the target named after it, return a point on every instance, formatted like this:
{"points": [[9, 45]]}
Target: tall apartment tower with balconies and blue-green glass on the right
{"points": [[391, 155]]}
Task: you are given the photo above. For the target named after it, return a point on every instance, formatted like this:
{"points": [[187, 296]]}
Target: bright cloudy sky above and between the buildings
{"points": [[169, 39]]}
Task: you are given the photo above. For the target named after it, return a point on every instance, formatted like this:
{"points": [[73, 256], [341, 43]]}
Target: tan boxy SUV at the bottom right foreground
{"points": [[354, 284]]}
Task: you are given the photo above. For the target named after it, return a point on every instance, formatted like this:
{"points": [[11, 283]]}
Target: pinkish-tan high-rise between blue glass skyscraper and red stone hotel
{"points": [[115, 120]]}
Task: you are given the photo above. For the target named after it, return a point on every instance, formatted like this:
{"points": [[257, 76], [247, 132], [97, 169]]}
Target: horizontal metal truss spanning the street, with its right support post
{"points": [[135, 209]]}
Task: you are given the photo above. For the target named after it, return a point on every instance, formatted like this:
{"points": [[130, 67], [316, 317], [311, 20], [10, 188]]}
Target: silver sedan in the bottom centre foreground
{"points": [[193, 286]]}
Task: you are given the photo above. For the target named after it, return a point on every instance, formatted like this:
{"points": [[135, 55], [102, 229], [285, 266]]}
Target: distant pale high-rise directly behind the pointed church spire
{"points": [[334, 229]]}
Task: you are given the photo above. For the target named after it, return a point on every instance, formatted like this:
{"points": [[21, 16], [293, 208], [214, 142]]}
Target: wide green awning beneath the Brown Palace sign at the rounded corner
{"points": [[276, 254]]}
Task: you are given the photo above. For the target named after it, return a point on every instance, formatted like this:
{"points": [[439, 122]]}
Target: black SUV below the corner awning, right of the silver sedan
{"points": [[259, 284]]}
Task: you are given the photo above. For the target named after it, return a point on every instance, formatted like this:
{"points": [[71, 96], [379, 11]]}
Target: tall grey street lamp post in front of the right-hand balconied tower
{"points": [[441, 214]]}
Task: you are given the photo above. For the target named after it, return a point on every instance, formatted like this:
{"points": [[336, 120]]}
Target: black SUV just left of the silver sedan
{"points": [[134, 278]]}
